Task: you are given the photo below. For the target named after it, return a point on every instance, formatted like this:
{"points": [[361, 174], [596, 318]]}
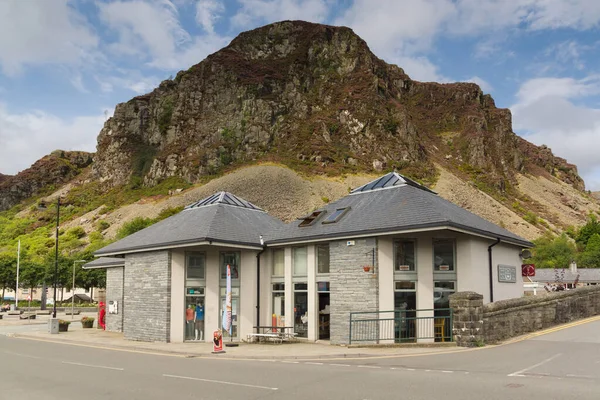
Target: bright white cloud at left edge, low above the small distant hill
{"points": [[25, 138]]}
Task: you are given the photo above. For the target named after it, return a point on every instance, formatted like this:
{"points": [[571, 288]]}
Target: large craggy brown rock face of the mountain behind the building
{"points": [[315, 97]]}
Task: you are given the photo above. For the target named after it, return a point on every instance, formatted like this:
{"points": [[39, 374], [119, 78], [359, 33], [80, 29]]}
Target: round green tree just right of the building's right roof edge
{"points": [[553, 252]]}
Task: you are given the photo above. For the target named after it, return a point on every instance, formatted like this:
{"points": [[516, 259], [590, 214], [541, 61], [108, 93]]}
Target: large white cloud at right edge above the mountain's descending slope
{"points": [[546, 112]]}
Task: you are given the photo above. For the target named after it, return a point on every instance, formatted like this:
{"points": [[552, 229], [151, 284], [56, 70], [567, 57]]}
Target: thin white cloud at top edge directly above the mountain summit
{"points": [[254, 12]]}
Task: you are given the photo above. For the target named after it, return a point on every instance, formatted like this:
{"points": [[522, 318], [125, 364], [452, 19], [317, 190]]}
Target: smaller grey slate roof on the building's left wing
{"points": [[216, 221]]}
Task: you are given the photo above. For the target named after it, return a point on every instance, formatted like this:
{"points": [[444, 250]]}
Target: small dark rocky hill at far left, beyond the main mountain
{"points": [[54, 169]]}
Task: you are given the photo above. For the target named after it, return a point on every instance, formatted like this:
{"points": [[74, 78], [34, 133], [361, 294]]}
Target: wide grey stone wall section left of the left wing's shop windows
{"points": [[147, 296]]}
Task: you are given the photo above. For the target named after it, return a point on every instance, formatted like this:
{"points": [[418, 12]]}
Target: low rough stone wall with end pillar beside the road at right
{"points": [[476, 323]]}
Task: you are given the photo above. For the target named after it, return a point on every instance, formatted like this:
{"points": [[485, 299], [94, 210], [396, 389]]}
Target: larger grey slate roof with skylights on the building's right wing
{"points": [[396, 207]]}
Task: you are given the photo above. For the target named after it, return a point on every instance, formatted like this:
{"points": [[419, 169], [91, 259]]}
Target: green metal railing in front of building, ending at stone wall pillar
{"points": [[401, 326]]}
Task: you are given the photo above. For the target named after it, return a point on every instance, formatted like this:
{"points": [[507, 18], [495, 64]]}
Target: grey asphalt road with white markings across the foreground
{"points": [[560, 365]]}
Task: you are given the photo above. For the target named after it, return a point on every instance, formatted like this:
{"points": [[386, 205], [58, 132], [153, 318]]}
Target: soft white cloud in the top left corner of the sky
{"points": [[38, 32]]}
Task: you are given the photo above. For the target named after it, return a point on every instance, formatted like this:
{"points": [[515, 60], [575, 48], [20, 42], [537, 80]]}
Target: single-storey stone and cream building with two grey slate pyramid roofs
{"points": [[391, 244]]}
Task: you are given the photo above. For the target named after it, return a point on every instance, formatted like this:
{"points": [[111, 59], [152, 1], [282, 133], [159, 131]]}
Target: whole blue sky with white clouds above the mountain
{"points": [[64, 65]]}
